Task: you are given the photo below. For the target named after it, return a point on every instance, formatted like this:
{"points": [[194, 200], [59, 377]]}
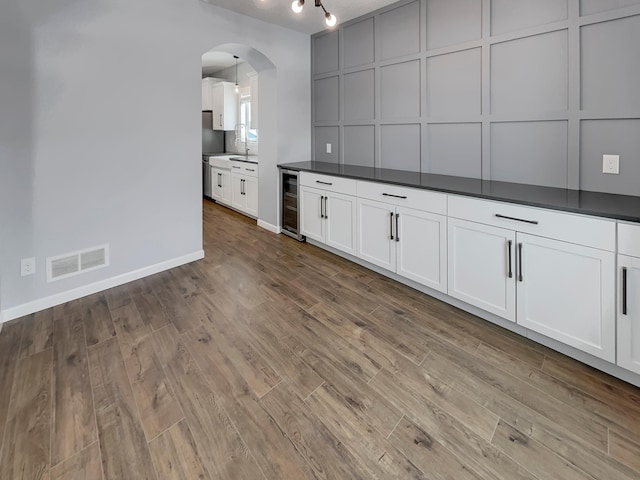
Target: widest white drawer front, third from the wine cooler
{"points": [[573, 228]]}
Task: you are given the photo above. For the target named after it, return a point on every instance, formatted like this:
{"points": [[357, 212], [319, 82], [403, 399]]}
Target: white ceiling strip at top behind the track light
{"points": [[310, 21]]}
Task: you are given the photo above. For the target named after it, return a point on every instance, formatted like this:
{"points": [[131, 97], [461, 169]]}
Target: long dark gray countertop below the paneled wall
{"points": [[619, 207]]}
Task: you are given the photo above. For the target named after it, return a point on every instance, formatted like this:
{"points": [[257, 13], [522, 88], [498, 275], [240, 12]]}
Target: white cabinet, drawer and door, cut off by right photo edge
{"points": [[629, 297]]}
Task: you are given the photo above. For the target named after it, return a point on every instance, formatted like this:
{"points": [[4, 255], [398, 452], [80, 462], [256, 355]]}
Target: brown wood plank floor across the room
{"points": [[272, 359]]}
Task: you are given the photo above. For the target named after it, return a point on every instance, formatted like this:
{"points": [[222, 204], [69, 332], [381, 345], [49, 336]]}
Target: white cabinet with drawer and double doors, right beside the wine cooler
{"points": [[328, 211]]}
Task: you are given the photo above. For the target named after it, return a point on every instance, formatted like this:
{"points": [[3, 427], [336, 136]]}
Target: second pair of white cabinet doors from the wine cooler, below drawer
{"points": [[409, 242]]}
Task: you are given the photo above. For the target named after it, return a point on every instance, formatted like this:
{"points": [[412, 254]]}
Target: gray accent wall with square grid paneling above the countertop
{"points": [[526, 91]]}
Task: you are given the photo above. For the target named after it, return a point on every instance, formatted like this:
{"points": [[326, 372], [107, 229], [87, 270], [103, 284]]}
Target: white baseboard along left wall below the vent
{"points": [[74, 294]]}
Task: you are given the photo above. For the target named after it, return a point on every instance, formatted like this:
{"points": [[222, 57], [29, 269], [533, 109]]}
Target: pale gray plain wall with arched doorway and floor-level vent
{"points": [[100, 130]]}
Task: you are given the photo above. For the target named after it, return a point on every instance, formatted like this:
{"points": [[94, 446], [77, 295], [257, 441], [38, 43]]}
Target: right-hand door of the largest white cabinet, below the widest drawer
{"points": [[566, 292]]}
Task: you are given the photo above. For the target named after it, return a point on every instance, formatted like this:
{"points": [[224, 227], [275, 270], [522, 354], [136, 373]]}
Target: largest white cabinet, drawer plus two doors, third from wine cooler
{"points": [[553, 287]]}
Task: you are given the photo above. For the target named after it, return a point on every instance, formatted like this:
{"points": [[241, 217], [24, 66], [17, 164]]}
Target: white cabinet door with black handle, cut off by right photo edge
{"points": [[629, 313]]}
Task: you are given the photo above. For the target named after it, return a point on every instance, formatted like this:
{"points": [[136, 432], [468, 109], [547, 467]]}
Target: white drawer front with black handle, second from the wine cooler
{"points": [[424, 200]]}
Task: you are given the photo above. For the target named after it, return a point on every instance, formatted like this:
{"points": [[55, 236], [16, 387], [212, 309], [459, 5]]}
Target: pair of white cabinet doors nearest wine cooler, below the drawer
{"points": [[329, 217]]}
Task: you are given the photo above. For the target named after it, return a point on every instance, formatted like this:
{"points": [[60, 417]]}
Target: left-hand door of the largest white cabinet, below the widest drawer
{"points": [[479, 266]]}
